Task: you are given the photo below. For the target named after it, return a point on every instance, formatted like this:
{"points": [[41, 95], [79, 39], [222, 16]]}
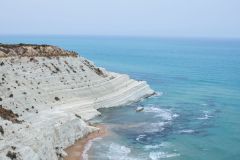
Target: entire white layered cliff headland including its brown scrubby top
{"points": [[47, 94]]}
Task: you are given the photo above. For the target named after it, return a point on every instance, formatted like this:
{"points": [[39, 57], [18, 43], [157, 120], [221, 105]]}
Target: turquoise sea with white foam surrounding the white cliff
{"points": [[196, 115]]}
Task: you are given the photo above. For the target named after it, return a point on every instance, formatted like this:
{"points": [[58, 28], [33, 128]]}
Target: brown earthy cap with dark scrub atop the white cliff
{"points": [[33, 50]]}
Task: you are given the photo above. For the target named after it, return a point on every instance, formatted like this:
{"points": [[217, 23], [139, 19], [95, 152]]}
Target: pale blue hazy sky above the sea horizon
{"points": [[164, 18]]}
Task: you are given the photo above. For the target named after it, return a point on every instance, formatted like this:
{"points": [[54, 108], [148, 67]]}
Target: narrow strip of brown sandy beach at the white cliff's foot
{"points": [[75, 151]]}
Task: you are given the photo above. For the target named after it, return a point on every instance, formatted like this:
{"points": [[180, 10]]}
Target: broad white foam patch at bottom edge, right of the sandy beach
{"points": [[119, 152]]}
